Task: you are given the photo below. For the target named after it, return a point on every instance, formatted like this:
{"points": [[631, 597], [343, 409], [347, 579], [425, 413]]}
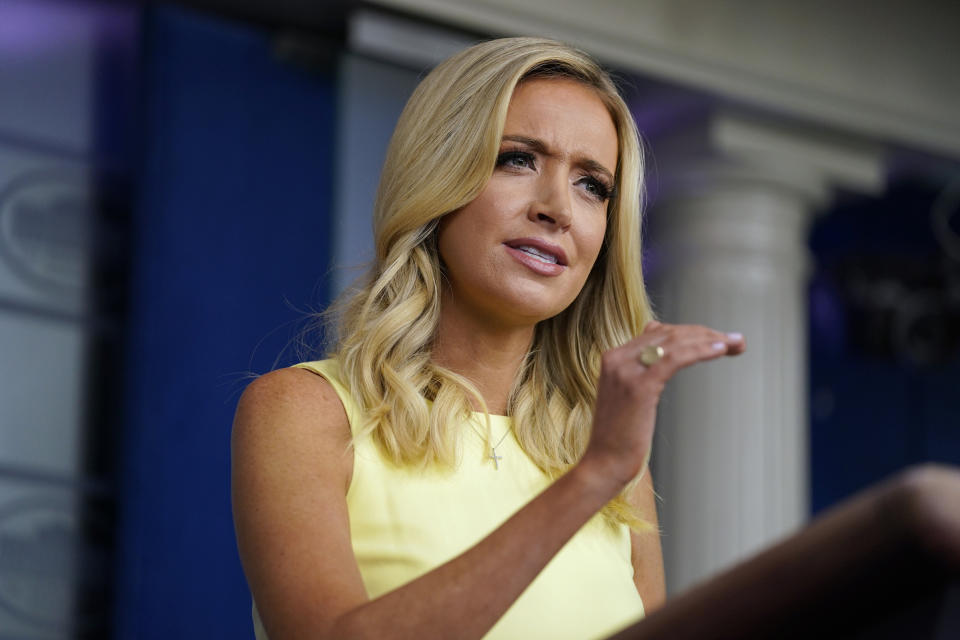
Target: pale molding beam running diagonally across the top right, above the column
{"points": [[913, 103]]}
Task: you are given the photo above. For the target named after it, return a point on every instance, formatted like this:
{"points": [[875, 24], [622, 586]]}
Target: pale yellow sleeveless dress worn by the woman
{"points": [[404, 523]]}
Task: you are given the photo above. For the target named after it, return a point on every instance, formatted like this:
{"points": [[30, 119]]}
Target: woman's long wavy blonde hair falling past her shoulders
{"points": [[441, 156]]}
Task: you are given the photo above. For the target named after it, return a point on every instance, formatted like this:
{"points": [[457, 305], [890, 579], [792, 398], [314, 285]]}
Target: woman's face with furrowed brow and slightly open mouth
{"points": [[522, 250]]}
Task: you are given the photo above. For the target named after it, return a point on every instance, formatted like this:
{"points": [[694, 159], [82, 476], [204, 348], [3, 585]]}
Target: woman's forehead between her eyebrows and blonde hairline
{"points": [[566, 115]]}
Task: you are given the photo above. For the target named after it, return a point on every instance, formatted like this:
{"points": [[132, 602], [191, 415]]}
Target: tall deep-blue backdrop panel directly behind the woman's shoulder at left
{"points": [[231, 223]]}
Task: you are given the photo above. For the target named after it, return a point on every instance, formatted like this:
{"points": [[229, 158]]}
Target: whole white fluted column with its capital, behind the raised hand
{"points": [[728, 249]]}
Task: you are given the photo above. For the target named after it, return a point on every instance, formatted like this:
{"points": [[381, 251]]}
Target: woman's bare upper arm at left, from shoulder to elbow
{"points": [[291, 466]]}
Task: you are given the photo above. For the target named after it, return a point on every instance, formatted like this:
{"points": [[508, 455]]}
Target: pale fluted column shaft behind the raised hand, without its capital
{"points": [[730, 459]]}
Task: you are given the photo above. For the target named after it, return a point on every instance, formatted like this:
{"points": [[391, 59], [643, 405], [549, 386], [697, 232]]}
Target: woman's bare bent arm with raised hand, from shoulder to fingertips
{"points": [[291, 468]]}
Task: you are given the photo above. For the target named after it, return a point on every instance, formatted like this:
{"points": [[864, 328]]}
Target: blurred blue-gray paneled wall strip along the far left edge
{"points": [[54, 546]]}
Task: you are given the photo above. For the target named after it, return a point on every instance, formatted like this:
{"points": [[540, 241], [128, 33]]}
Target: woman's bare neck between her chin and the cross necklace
{"points": [[485, 352]]}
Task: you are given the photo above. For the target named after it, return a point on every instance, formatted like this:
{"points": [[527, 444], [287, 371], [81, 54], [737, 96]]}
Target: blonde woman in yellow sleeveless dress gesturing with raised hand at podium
{"points": [[466, 463]]}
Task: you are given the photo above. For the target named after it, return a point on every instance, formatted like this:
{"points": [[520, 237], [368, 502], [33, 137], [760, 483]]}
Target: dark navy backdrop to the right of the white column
{"points": [[879, 402]]}
